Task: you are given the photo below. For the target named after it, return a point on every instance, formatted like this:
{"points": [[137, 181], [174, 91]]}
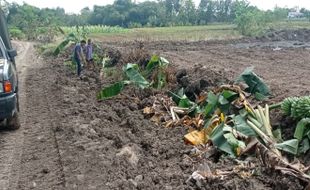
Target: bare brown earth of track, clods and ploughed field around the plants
{"points": [[68, 140]]}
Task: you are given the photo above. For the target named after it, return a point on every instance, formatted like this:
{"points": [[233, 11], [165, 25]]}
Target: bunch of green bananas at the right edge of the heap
{"points": [[297, 108]]}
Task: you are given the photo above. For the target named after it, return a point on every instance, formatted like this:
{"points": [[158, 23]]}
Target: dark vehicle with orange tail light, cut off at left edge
{"points": [[9, 106]]}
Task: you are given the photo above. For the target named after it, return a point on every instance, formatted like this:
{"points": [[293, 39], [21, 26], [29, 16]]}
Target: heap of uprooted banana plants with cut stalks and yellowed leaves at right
{"points": [[225, 119]]}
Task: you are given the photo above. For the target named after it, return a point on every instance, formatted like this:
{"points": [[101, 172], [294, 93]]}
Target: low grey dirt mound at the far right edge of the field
{"points": [[301, 35]]}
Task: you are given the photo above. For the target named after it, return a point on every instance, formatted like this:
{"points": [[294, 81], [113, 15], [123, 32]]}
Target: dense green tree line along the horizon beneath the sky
{"points": [[127, 13]]}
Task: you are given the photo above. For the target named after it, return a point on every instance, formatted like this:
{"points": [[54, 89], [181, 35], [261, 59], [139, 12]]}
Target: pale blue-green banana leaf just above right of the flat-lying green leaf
{"points": [[132, 72]]}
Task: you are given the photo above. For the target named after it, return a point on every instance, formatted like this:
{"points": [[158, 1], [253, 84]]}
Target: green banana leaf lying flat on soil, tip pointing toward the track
{"points": [[111, 90]]}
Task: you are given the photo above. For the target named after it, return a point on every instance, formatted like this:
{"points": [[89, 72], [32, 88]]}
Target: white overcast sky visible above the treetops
{"points": [[74, 6]]}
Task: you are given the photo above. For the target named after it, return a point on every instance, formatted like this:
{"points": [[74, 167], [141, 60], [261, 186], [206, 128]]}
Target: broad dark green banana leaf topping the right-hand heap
{"points": [[254, 82]]}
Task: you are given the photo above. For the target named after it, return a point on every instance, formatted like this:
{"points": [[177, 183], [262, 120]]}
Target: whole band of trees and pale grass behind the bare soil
{"points": [[173, 17]]}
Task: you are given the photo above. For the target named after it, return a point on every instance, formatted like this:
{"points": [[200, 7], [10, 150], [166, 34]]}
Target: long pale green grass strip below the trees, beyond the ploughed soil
{"points": [[188, 33]]}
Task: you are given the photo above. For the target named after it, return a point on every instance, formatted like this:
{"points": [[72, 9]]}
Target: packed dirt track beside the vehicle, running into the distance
{"points": [[30, 155]]}
